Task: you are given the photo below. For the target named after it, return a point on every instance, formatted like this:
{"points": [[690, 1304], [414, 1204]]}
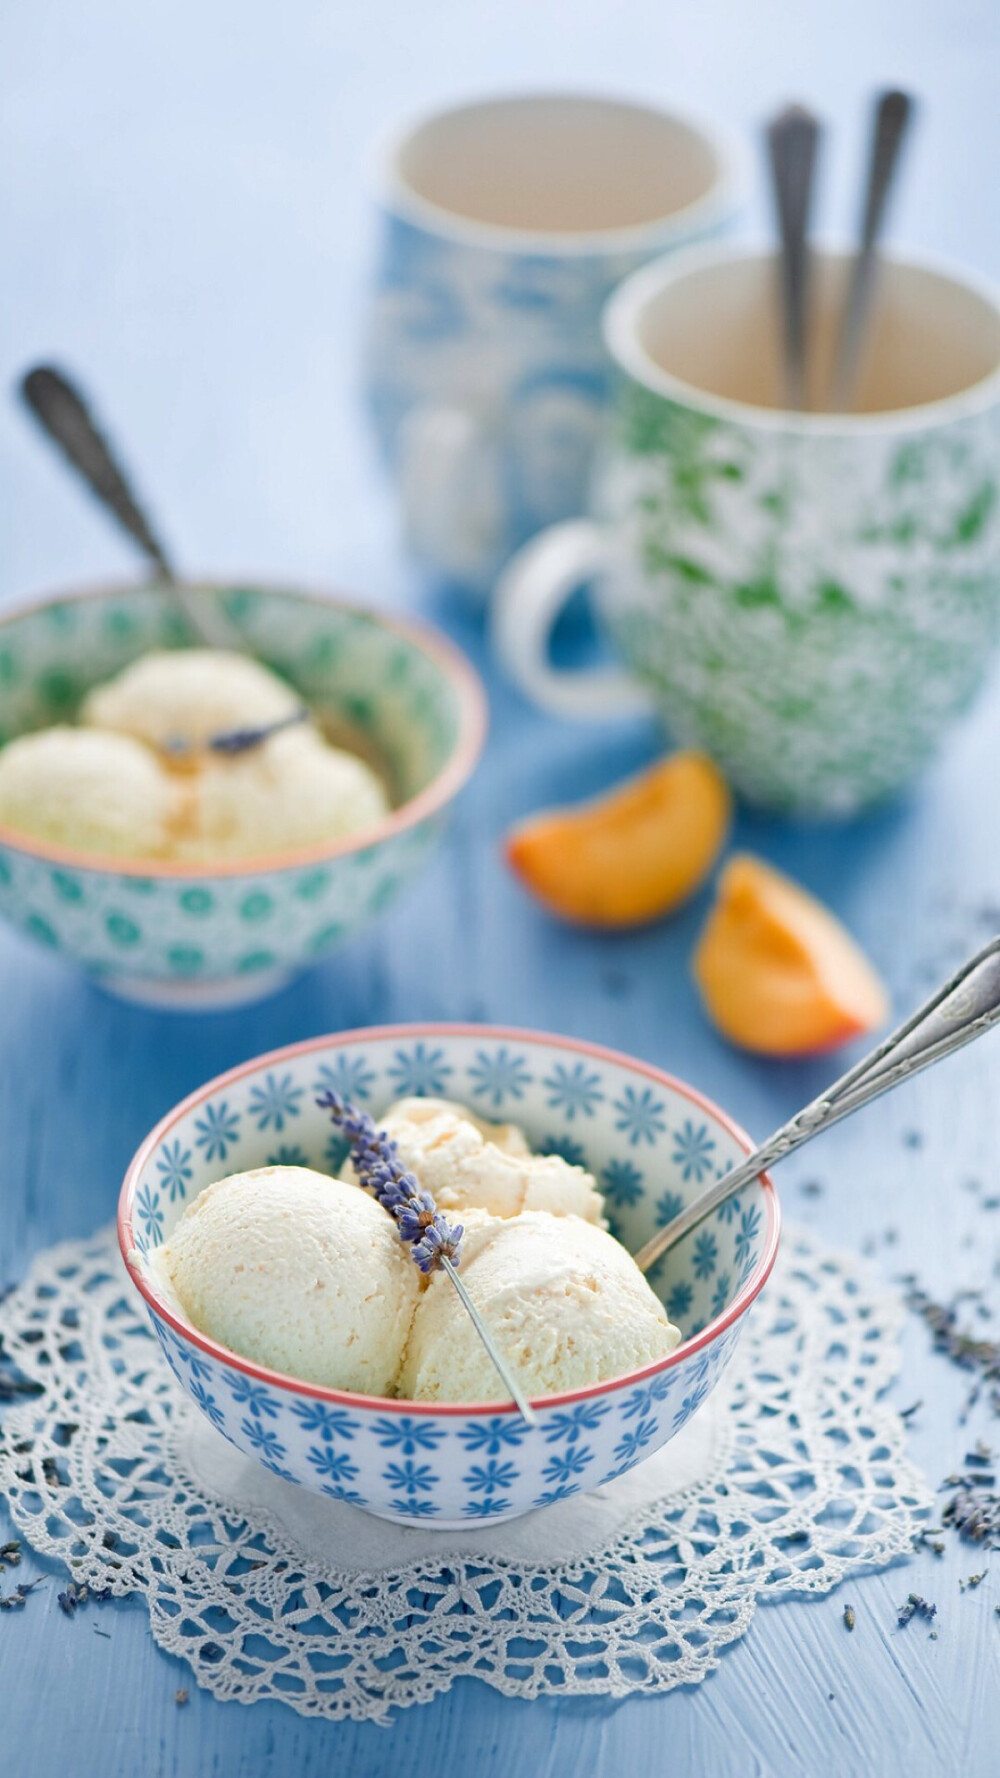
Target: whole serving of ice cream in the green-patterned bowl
{"points": [[138, 780]]}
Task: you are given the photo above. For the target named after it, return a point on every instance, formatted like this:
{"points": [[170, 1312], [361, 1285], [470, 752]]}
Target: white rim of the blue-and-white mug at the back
{"points": [[700, 216]]}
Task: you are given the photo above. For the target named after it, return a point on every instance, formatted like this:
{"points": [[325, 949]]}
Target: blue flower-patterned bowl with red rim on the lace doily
{"points": [[652, 1142]]}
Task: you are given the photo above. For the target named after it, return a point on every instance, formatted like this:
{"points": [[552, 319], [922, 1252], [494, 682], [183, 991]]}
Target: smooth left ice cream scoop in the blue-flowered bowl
{"points": [[298, 1272]]}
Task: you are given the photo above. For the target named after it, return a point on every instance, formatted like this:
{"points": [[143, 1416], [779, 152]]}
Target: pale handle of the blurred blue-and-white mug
{"points": [[453, 493]]}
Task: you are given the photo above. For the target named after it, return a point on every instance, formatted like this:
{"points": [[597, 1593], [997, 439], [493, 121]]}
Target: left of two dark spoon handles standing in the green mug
{"points": [[793, 143]]}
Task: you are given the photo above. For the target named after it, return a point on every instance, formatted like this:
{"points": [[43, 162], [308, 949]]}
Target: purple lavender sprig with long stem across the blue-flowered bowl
{"points": [[433, 1240]]}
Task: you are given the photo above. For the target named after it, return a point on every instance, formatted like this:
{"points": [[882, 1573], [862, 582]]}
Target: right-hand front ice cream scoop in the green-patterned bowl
{"points": [[294, 790]]}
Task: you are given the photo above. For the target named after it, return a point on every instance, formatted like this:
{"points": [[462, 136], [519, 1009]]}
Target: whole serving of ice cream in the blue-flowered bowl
{"points": [[307, 1274]]}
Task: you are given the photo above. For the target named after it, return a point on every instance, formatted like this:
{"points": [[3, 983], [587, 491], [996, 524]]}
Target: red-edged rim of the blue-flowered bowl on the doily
{"points": [[401, 1034]]}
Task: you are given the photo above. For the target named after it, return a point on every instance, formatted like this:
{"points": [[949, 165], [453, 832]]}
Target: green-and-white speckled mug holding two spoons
{"points": [[809, 598]]}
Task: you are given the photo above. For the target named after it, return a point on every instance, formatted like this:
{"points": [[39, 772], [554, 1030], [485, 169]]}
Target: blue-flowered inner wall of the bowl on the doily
{"points": [[652, 1142]]}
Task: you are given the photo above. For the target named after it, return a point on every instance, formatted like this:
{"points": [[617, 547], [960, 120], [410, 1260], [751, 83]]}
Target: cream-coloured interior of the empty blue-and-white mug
{"points": [[558, 164]]}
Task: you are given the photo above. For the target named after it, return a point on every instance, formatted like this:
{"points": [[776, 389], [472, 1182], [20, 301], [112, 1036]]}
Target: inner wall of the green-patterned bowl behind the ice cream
{"points": [[375, 687]]}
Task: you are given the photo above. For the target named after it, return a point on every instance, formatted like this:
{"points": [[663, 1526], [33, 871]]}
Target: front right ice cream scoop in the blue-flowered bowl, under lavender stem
{"points": [[563, 1301]]}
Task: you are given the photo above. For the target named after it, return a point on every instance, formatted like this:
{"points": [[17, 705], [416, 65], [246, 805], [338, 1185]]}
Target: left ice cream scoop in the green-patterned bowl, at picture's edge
{"points": [[90, 792]]}
